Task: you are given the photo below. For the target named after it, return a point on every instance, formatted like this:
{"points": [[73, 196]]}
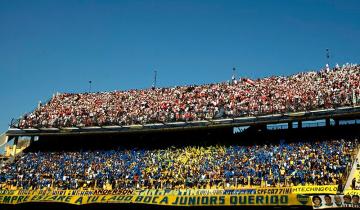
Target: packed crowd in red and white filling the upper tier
{"points": [[327, 88]]}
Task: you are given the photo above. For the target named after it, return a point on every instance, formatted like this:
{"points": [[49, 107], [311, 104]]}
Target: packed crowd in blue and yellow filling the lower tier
{"points": [[218, 166]]}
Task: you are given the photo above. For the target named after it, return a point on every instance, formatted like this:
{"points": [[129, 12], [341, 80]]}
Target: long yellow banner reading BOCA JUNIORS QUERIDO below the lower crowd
{"points": [[210, 200]]}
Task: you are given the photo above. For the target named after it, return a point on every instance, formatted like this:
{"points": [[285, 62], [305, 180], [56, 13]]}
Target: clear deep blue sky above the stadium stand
{"points": [[49, 46]]}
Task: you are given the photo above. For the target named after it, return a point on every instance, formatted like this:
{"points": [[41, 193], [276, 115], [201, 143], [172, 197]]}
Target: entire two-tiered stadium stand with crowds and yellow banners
{"points": [[78, 155]]}
